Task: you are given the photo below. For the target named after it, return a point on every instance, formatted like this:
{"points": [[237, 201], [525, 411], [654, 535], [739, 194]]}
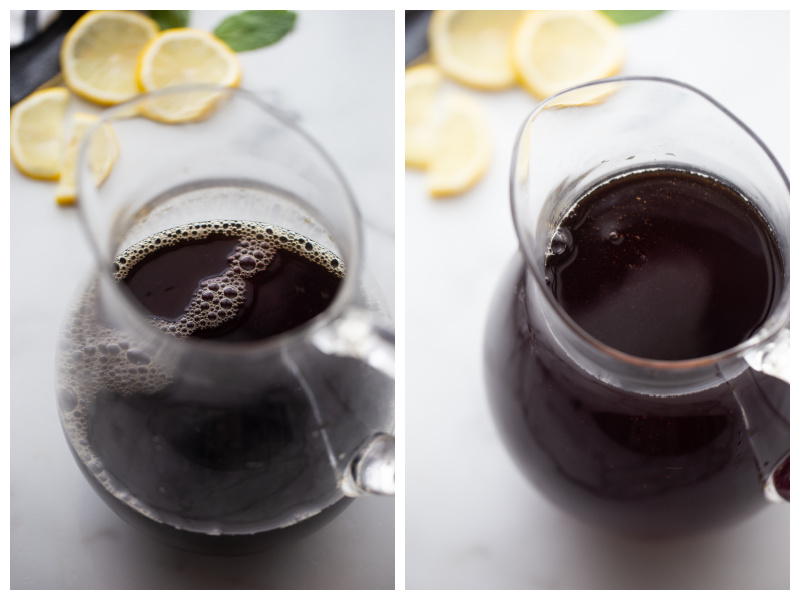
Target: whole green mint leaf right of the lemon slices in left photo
{"points": [[255, 28]]}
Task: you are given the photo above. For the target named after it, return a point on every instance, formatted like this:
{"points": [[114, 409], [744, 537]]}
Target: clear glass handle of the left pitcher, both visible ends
{"points": [[357, 334]]}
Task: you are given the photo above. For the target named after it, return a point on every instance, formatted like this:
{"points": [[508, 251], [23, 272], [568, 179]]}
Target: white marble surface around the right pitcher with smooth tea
{"points": [[472, 521]]}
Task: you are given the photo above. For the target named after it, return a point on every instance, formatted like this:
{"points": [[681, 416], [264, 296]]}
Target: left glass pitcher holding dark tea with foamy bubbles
{"points": [[257, 406]]}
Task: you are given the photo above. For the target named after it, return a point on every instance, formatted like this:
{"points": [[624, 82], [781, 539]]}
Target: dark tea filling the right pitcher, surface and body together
{"points": [[661, 264]]}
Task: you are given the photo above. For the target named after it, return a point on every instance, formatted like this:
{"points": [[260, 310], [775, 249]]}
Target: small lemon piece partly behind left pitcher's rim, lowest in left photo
{"points": [[101, 154]]}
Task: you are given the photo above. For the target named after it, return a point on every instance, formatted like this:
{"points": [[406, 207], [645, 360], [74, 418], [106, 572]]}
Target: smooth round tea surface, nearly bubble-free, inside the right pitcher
{"points": [[665, 264]]}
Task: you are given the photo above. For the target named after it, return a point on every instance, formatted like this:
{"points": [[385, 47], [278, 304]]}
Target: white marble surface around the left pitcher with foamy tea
{"points": [[336, 71]]}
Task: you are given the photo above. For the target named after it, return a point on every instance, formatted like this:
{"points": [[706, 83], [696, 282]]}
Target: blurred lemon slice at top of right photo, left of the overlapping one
{"points": [[474, 46]]}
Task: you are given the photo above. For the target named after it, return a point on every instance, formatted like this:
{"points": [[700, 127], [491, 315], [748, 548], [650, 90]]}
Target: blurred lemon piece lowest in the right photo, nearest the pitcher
{"points": [[461, 151]]}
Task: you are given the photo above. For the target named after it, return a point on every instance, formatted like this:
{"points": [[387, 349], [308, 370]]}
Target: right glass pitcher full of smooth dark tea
{"points": [[622, 343]]}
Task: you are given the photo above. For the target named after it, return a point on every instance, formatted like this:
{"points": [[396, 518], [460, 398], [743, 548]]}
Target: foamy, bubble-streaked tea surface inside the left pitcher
{"points": [[230, 281]]}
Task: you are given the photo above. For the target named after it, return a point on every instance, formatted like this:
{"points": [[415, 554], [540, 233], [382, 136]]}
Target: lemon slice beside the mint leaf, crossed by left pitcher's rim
{"points": [[186, 56]]}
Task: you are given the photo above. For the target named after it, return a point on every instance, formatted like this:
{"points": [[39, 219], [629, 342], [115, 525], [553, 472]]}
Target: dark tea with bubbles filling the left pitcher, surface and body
{"points": [[212, 454]]}
